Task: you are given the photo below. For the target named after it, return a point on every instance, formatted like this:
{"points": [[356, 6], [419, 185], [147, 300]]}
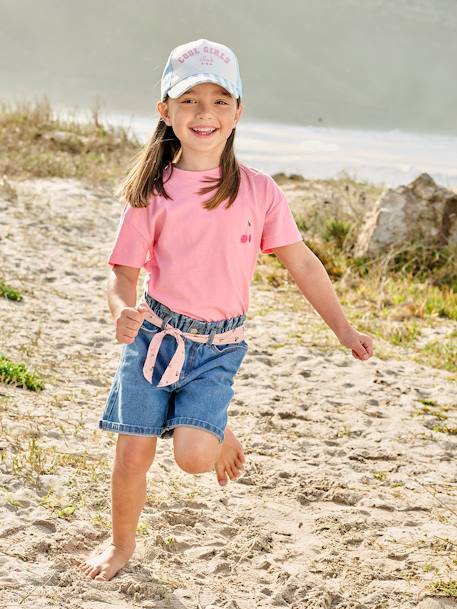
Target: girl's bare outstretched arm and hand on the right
{"points": [[314, 283]]}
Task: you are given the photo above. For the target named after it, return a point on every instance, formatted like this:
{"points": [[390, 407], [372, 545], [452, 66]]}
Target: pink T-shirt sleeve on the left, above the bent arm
{"points": [[132, 243]]}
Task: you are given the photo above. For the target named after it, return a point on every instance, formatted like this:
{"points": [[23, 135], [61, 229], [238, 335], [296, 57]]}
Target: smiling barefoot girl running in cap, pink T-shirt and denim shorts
{"points": [[195, 219]]}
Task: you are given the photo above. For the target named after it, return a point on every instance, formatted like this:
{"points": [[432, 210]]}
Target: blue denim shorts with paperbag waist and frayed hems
{"points": [[199, 398]]}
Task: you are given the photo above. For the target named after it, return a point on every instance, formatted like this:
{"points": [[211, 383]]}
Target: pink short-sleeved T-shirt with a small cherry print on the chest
{"points": [[200, 262]]}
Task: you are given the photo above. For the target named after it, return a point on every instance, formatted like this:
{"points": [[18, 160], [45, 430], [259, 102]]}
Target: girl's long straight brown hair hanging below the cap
{"points": [[146, 174]]}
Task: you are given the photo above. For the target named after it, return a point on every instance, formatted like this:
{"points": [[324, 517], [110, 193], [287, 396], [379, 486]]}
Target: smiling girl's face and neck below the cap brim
{"points": [[202, 119]]}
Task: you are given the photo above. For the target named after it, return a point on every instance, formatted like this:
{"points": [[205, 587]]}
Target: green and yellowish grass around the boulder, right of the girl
{"points": [[398, 297]]}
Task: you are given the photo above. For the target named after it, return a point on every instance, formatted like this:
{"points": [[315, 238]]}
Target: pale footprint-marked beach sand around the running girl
{"points": [[348, 499]]}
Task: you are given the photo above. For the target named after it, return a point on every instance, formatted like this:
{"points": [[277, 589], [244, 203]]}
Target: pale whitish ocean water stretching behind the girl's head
{"points": [[389, 158]]}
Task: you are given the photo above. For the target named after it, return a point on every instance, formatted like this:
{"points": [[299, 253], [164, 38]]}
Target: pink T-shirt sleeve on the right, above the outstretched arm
{"points": [[279, 227]]}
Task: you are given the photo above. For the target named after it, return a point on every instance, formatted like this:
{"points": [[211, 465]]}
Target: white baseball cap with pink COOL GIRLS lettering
{"points": [[200, 61]]}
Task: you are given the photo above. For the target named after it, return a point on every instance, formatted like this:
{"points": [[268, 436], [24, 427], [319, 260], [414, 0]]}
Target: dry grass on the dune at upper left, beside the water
{"points": [[37, 143]]}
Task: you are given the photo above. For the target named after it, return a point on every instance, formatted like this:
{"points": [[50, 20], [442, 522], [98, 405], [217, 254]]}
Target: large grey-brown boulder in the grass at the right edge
{"points": [[422, 211]]}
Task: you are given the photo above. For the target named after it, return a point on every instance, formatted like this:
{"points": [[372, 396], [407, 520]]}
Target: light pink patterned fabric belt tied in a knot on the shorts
{"points": [[173, 370]]}
